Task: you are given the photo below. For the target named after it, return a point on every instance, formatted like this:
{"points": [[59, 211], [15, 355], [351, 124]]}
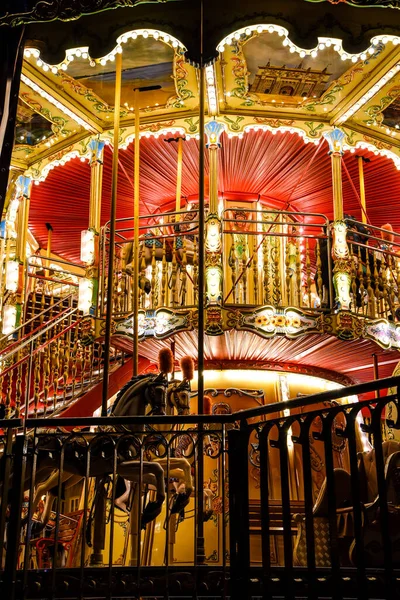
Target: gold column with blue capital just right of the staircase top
{"points": [[90, 238]]}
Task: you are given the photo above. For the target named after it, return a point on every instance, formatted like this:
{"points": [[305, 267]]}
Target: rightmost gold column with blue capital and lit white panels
{"points": [[340, 250]]}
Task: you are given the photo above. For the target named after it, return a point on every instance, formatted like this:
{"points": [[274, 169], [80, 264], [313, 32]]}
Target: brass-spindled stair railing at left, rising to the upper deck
{"points": [[45, 364]]}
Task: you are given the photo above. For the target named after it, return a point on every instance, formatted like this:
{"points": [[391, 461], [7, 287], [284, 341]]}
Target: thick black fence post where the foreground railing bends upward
{"points": [[239, 533]]}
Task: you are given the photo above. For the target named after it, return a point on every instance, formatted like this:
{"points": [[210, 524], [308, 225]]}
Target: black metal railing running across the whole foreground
{"points": [[301, 499]]}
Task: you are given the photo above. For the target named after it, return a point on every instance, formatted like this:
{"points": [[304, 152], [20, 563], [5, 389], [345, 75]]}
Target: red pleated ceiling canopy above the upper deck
{"points": [[280, 169]]}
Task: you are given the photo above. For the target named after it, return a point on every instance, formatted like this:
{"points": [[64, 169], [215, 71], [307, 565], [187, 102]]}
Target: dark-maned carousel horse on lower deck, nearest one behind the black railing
{"points": [[132, 400]]}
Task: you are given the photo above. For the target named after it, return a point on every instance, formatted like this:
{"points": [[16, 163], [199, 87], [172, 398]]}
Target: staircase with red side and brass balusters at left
{"points": [[45, 366]]}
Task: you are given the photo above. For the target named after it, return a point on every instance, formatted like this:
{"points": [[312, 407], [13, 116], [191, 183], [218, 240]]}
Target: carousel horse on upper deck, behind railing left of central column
{"points": [[151, 245]]}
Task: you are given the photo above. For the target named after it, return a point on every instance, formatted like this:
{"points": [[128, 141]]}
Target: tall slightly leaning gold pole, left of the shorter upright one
{"points": [[111, 255]]}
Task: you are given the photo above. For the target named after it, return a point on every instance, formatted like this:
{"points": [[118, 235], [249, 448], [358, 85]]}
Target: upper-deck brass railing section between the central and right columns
{"points": [[273, 258]]}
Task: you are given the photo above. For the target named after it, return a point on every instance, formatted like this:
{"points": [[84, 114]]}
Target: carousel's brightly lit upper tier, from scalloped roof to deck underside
{"points": [[271, 107]]}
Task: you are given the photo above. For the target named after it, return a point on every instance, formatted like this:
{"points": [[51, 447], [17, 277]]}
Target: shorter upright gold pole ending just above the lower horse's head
{"points": [[136, 237]]}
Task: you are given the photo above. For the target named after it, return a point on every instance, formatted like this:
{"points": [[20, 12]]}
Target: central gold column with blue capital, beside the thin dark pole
{"points": [[213, 245]]}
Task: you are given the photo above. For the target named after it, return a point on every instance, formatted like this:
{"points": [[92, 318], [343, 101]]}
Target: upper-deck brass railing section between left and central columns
{"points": [[168, 263]]}
